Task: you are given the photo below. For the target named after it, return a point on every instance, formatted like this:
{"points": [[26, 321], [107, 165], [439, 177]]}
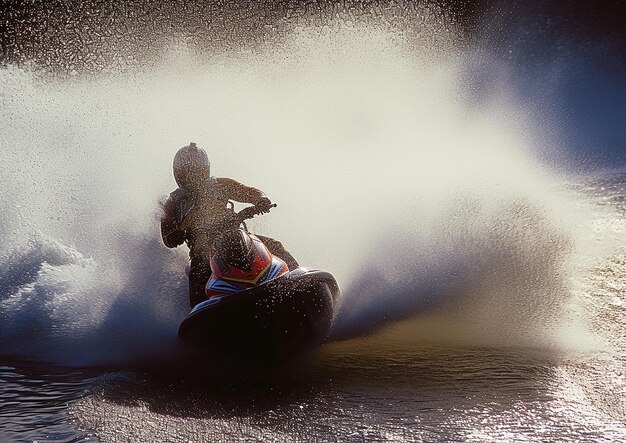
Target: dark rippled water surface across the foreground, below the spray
{"points": [[436, 394]]}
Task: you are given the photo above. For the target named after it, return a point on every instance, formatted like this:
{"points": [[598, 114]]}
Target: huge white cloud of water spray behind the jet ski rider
{"points": [[384, 176]]}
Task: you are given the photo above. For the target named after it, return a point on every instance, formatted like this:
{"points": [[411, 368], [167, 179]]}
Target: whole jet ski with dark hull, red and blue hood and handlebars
{"points": [[258, 311]]}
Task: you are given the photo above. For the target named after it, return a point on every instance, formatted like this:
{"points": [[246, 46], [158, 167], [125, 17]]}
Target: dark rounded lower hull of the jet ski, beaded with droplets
{"points": [[268, 323]]}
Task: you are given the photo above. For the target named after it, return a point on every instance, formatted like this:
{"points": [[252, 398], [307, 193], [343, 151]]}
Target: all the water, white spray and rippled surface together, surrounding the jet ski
{"points": [[483, 292]]}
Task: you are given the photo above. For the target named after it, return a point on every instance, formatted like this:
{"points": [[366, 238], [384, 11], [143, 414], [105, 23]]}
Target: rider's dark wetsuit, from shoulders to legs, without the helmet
{"points": [[194, 218]]}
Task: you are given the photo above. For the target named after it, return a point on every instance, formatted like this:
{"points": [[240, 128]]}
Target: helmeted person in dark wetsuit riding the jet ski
{"points": [[194, 211]]}
